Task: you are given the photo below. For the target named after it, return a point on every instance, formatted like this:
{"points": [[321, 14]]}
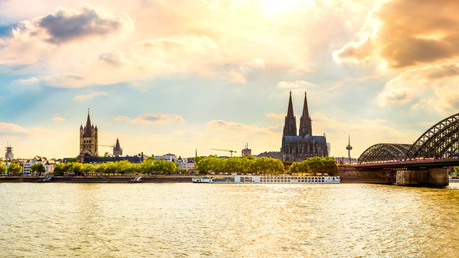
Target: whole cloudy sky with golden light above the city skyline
{"points": [[170, 76]]}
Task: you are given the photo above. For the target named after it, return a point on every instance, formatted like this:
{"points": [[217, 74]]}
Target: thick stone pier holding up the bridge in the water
{"points": [[430, 177]]}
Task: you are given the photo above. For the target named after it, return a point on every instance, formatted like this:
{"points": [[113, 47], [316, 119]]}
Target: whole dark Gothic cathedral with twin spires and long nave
{"points": [[303, 144]]}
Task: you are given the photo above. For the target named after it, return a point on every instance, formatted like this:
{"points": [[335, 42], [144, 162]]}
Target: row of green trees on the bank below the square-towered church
{"points": [[149, 165]]}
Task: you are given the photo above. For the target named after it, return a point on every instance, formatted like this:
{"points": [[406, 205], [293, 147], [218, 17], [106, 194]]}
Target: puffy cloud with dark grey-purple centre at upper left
{"points": [[51, 38]]}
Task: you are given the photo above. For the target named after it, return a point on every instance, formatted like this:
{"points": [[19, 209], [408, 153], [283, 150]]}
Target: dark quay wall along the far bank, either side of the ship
{"points": [[156, 179]]}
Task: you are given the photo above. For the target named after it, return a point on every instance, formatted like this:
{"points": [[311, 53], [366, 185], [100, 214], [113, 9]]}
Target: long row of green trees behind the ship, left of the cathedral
{"points": [[247, 164]]}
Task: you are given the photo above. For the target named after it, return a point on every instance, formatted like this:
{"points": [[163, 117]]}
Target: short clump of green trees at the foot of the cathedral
{"points": [[315, 165]]}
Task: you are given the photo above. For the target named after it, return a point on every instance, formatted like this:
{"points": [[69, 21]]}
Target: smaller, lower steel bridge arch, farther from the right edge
{"points": [[385, 152]]}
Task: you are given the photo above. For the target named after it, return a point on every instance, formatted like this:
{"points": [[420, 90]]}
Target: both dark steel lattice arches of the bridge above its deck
{"points": [[439, 141]]}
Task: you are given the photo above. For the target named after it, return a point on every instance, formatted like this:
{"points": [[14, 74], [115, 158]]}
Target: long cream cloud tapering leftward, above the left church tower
{"points": [[143, 60]]}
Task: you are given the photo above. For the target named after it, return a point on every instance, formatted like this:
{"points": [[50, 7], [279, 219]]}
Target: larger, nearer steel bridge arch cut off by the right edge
{"points": [[440, 140]]}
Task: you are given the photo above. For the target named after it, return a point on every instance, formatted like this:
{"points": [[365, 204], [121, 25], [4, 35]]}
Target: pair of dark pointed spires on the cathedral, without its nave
{"points": [[290, 120]]}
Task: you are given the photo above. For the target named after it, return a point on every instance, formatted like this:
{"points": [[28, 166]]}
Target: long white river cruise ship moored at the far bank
{"points": [[267, 179]]}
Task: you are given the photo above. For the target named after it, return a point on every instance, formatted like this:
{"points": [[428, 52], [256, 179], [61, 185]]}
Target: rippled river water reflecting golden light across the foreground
{"points": [[196, 220]]}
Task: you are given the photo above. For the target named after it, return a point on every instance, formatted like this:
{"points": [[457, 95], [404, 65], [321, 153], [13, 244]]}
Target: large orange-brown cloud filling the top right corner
{"points": [[404, 34]]}
